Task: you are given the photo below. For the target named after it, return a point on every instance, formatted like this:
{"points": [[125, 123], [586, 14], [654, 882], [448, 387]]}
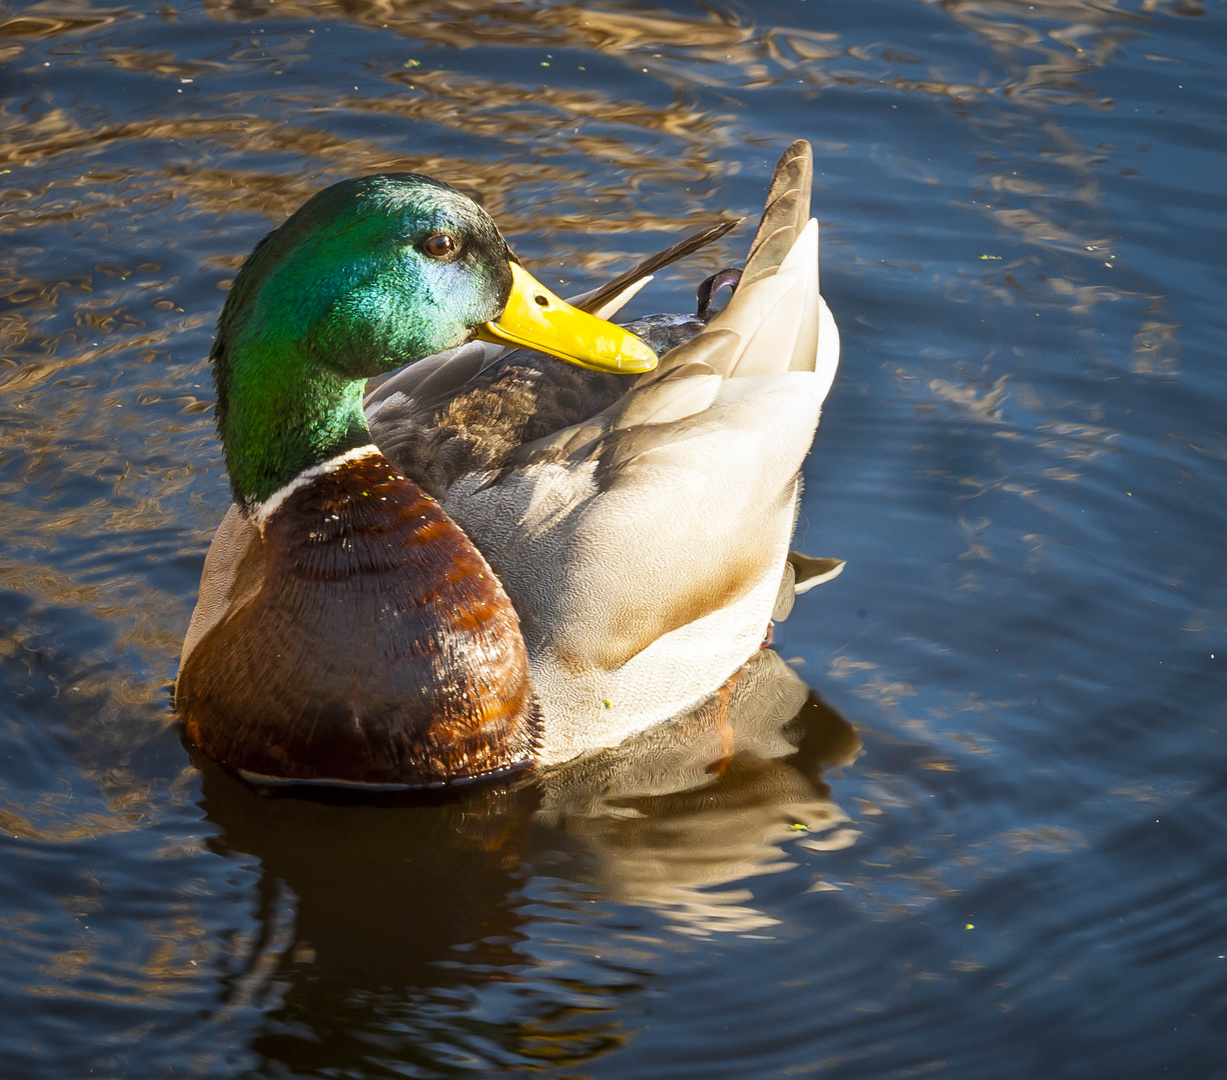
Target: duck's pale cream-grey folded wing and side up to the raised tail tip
{"points": [[645, 546]]}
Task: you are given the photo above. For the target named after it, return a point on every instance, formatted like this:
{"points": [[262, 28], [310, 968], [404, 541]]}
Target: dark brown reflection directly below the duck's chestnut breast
{"points": [[365, 911]]}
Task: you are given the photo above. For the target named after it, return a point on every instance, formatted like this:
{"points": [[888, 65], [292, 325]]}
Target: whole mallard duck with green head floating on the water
{"points": [[496, 559]]}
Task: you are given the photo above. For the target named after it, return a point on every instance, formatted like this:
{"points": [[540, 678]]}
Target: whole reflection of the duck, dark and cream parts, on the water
{"points": [[379, 924]]}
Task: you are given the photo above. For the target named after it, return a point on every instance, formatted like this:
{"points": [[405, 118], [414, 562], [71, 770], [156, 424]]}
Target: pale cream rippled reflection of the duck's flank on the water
{"points": [[680, 812]]}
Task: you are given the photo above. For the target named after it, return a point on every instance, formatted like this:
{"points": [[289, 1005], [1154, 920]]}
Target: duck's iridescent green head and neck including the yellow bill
{"points": [[369, 276]]}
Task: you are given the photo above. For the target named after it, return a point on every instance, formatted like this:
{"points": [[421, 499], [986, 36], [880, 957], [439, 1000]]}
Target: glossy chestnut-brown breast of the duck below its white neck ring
{"points": [[381, 647]]}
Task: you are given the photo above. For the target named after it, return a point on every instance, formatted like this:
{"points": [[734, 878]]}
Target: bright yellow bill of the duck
{"points": [[536, 318]]}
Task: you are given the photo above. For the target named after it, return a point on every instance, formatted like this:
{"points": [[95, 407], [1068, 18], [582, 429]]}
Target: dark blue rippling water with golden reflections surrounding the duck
{"points": [[1012, 771]]}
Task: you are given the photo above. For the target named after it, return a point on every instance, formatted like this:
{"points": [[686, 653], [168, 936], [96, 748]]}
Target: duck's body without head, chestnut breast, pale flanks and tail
{"points": [[517, 560]]}
